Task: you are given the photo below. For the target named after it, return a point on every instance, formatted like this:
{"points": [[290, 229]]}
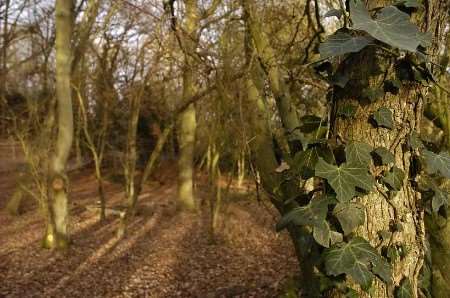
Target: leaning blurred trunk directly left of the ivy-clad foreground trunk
{"points": [[263, 156]]}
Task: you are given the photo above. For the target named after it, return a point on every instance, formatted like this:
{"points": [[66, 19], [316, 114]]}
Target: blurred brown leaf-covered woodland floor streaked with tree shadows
{"points": [[166, 254]]}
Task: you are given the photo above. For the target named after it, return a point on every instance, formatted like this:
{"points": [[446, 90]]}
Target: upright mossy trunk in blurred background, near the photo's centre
{"points": [[187, 119]]}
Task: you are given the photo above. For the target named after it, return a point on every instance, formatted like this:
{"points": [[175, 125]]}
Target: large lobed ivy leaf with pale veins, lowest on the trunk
{"points": [[353, 258]]}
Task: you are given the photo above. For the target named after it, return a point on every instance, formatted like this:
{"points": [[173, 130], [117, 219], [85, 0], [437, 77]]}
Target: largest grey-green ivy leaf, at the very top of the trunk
{"points": [[391, 26]]}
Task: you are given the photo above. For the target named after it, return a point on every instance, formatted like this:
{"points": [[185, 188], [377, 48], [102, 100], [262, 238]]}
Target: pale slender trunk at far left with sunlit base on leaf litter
{"points": [[57, 233]]}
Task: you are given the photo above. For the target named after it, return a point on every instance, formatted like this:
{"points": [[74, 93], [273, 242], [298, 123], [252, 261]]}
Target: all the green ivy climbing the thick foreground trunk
{"points": [[333, 213]]}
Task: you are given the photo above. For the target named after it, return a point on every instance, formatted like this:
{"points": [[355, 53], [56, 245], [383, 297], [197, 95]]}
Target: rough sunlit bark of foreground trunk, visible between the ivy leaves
{"points": [[401, 212]]}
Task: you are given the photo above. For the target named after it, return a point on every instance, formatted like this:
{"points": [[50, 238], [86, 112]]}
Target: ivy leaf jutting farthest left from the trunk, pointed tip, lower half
{"points": [[312, 214]]}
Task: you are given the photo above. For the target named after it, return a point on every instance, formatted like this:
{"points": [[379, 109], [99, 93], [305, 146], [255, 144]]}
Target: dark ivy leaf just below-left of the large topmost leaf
{"points": [[342, 43]]}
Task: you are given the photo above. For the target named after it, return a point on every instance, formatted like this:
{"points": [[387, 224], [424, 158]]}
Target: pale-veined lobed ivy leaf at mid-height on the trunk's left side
{"points": [[345, 178]]}
